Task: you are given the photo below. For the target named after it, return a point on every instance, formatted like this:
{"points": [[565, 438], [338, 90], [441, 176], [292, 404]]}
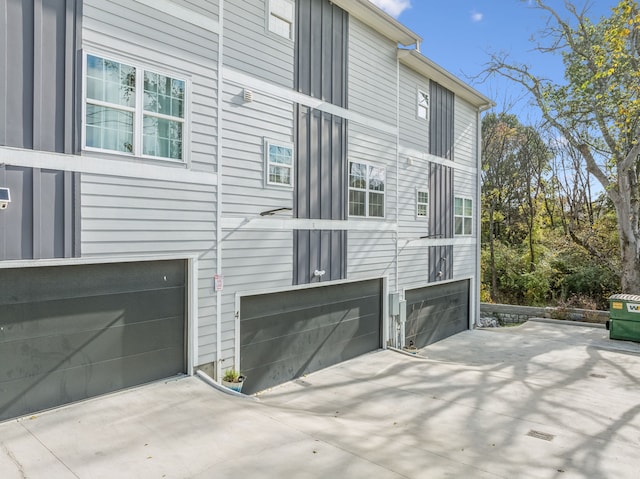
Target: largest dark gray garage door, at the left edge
{"points": [[73, 332]]}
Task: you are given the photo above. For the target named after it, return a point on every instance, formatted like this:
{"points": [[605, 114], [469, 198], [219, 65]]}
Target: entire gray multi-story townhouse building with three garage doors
{"points": [[268, 185]]}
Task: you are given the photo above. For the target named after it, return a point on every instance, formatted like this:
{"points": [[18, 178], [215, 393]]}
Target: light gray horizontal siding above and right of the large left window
{"points": [[130, 31]]}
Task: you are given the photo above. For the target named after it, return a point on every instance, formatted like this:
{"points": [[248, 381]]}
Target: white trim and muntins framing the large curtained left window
{"points": [[138, 110]]}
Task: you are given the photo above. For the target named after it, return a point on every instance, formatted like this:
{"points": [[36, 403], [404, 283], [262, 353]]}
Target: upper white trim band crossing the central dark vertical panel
{"points": [[252, 83]]}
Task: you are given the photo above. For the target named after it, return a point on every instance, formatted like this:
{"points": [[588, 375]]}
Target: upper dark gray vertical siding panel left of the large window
{"points": [[39, 47]]}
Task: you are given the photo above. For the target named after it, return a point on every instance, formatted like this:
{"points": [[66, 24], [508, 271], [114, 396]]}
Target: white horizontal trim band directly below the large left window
{"points": [[133, 168]]}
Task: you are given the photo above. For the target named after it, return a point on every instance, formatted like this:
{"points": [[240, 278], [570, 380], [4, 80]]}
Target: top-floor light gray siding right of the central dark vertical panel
{"points": [[372, 73]]}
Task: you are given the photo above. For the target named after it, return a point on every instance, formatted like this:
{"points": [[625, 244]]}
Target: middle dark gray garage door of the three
{"points": [[285, 335]]}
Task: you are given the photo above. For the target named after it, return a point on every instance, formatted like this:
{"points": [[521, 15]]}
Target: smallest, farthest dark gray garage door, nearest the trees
{"points": [[436, 312]]}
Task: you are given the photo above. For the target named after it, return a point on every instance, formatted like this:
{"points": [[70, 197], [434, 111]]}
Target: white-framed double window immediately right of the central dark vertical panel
{"points": [[366, 190]]}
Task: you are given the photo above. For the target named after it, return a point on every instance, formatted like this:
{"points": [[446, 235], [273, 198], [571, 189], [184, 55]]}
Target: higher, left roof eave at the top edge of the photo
{"points": [[369, 14]]}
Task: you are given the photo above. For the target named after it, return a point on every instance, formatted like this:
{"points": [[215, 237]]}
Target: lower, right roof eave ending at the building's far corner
{"points": [[422, 65]]}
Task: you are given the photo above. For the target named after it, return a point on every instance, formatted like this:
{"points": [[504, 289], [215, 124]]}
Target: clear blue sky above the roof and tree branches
{"points": [[459, 34]]}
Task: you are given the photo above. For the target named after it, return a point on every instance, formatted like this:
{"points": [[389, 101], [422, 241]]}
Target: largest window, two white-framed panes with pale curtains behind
{"points": [[133, 110]]}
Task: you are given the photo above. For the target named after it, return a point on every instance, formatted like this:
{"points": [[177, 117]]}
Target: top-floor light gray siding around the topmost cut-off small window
{"points": [[249, 47]]}
